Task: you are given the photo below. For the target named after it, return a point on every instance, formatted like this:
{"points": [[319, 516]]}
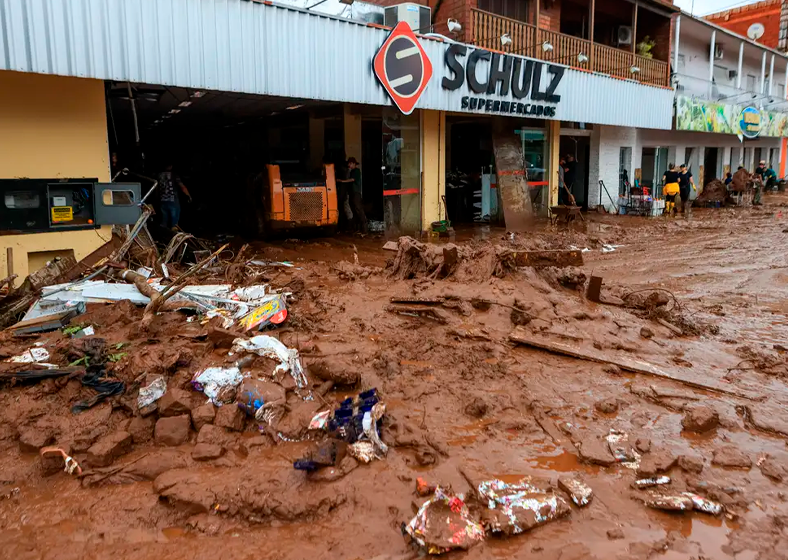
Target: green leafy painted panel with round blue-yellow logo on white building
{"points": [[750, 122]]}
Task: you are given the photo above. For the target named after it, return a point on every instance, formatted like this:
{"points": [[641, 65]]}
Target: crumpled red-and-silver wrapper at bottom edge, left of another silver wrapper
{"points": [[443, 523]]}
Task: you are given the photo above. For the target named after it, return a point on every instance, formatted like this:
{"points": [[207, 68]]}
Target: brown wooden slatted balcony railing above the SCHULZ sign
{"points": [[486, 30]]}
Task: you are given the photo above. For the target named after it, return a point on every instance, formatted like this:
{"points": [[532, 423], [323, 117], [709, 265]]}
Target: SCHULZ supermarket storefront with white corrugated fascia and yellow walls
{"points": [[217, 48]]}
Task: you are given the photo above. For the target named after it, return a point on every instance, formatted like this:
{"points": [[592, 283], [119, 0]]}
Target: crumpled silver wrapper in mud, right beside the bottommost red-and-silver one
{"points": [[519, 507]]}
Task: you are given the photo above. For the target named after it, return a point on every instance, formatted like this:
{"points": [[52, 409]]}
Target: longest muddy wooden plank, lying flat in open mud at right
{"points": [[520, 336]]}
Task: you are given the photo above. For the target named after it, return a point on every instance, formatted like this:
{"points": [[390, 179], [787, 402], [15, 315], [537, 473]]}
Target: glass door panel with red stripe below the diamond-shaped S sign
{"points": [[401, 172]]}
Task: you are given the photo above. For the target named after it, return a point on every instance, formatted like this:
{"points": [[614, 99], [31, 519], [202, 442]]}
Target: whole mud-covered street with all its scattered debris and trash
{"points": [[485, 398]]}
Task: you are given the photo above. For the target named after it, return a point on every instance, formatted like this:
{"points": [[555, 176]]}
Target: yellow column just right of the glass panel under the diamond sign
{"points": [[433, 158]]}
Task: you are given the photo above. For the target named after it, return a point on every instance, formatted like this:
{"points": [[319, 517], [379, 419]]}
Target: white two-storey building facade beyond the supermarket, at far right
{"points": [[730, 110]]}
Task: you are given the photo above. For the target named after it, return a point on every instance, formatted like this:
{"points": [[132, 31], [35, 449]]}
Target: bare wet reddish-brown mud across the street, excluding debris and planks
{"points": [[728, 267]]}
